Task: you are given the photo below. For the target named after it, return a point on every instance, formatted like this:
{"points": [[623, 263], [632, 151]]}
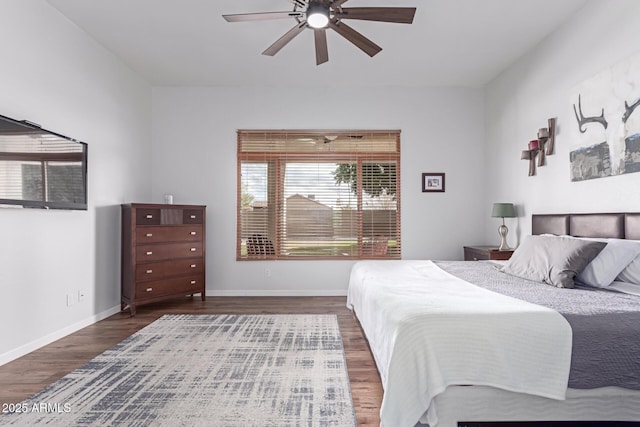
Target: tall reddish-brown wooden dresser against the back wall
{"points": [[163, 253]]}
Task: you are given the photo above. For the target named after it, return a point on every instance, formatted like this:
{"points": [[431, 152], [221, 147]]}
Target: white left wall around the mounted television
{"points": [[53, 74]]}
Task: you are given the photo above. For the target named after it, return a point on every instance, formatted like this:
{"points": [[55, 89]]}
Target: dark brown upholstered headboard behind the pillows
{"points": [[615, 225]]}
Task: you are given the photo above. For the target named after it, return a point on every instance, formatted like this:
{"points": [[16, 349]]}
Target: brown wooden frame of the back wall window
{"points": [[277, 160]]}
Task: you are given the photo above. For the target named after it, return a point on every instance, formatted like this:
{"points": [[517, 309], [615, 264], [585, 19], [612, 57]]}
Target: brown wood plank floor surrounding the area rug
{"points": [[29, 374]]}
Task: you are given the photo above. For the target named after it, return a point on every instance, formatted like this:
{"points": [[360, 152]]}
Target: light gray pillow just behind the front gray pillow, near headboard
{"points": [[610, 262]]}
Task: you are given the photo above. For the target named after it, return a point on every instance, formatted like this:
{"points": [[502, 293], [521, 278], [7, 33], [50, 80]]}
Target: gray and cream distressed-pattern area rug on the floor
{"points": [[206, 370]]}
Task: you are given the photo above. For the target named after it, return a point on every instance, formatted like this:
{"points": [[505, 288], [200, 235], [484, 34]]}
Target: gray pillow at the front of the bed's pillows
{"points": [[551, 259]]}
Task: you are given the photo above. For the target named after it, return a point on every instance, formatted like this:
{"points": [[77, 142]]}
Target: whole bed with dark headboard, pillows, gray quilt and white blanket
{"points": [[457, 343]]}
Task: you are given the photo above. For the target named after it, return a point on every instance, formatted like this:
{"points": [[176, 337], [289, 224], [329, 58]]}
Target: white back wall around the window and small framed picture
{"points": [[194, 158]]}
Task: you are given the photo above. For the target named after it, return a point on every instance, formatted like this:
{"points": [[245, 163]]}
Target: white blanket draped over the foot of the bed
{"points": [[428, 330]]}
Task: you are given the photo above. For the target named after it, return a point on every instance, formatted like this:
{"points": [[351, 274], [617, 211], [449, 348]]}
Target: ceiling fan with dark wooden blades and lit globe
{"points": [[320, 15]]}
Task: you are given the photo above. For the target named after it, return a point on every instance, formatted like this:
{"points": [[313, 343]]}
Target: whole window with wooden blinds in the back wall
{"points": [[318, 194]]}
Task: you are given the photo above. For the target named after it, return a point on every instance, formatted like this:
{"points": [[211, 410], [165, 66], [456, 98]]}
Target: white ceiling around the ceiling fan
{"points": [[187, 42]]}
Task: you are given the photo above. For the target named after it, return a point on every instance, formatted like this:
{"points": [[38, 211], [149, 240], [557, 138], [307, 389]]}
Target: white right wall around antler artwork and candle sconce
{"points": [[537, 87]]}
